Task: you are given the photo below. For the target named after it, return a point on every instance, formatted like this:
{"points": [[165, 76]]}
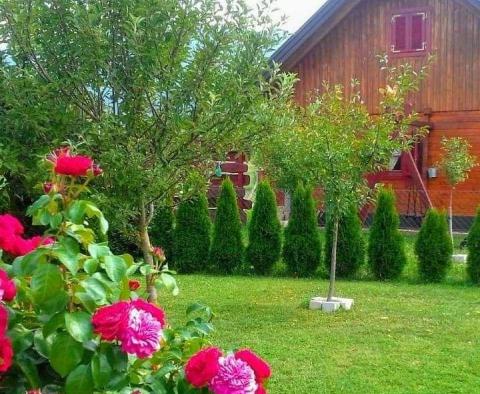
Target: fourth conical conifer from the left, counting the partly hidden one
{"points": [[264, 231]]}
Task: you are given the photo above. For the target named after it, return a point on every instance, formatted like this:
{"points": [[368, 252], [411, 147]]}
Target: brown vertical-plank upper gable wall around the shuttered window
{"points": [[348, 51]]}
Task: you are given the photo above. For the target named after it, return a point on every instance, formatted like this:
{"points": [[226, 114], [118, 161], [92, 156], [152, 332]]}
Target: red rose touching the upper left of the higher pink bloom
{"points": [[108, 320]]}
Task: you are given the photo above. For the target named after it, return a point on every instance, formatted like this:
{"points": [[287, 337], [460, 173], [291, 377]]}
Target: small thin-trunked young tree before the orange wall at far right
{"points": [[457, 162]]}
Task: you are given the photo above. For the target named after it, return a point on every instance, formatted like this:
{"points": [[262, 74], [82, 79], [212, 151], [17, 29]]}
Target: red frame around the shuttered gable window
{"points": [[409, 12]]}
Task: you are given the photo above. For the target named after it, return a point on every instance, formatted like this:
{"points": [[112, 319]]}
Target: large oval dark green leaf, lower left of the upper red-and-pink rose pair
{"points": [[65, 354]]}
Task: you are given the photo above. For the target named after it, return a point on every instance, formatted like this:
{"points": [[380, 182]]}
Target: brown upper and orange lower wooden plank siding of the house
{"points": [[450, 95]]}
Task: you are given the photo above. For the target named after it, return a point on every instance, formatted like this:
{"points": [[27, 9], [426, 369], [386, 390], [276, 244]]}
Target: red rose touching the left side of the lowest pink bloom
{"points": [[203, 367]]}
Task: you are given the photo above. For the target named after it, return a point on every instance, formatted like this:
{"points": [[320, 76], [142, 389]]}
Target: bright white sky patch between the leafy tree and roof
{"points": [[297, 11]]}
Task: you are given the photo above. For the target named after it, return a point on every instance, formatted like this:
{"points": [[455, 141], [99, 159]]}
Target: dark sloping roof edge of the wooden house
{"points": [[319, 25]]}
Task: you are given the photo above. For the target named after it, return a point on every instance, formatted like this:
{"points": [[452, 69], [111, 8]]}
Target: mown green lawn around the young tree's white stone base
{"points": [[399, 338]]}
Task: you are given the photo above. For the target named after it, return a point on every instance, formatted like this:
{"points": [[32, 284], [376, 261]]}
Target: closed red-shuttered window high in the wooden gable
{"points": [[409, 32]]}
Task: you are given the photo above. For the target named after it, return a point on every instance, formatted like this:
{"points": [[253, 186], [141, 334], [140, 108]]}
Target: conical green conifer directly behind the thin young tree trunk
{"points": [[350, 244]]}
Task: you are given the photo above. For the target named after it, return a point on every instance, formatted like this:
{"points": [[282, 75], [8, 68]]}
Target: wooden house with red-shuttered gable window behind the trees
{"points": [[340, 42]]}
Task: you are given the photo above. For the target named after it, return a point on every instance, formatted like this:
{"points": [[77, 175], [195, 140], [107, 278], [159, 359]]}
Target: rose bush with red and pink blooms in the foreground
{"points": [[73, 315]]}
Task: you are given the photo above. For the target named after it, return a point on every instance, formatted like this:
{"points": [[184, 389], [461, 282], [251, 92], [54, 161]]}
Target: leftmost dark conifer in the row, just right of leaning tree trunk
{"points": [[162, 228]]}
